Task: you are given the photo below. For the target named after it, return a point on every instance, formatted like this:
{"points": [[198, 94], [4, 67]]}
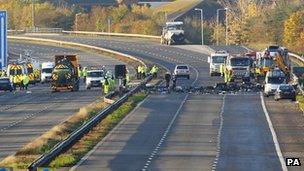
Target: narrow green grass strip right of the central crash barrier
{"points": [[86, 143]]}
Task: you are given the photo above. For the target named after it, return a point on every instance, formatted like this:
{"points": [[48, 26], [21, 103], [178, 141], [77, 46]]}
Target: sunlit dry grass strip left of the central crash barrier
{"points": [[44, 143]]}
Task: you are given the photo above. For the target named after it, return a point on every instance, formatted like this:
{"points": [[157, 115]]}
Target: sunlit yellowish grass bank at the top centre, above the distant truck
{"points": [[176, 6]]}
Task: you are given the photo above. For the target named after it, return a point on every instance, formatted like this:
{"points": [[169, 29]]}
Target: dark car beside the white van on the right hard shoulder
{"points": [[285, 91]]}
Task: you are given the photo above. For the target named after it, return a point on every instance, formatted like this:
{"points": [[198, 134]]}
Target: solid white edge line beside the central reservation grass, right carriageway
{"points": [[84, 158]]}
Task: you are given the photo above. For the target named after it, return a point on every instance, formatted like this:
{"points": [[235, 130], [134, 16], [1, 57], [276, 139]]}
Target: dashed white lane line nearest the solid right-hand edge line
{"points": [[219, 135]]}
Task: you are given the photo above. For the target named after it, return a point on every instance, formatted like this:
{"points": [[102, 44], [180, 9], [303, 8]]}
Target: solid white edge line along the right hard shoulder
{"points": [[274, 135]]}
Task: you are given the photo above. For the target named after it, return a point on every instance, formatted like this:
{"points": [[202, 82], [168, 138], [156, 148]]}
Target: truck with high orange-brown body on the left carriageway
{"points": [[65, 73]]}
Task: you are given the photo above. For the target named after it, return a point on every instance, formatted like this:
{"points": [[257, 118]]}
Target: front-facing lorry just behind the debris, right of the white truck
{"points": [[237, 68]]}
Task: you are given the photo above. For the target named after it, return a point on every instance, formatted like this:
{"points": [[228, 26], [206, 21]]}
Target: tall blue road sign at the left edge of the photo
{"points": [[3, 39]]}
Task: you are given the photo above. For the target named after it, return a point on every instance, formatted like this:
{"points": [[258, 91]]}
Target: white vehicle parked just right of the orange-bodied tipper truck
{"points": [[94, 78]]}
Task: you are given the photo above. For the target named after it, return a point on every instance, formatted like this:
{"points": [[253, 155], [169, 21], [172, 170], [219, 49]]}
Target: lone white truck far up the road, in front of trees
{"points": [[173, 33]]}
